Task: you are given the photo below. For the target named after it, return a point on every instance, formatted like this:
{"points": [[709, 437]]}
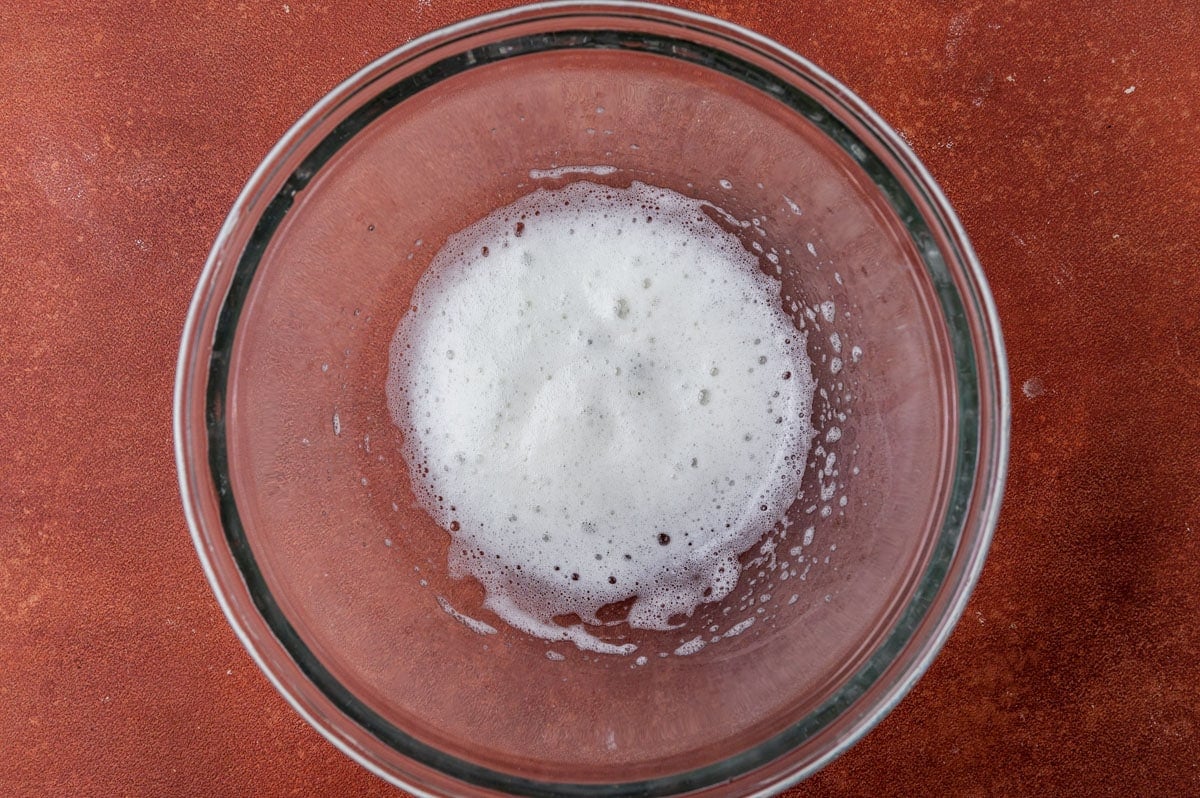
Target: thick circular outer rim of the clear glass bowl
{"points": [[197, 484]]}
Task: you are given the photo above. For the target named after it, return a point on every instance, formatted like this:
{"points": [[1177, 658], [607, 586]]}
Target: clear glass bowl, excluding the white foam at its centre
{"points": [[301, 505]]}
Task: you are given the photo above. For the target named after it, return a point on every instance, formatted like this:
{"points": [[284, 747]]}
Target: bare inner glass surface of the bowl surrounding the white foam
{"points": [[325, 500]]}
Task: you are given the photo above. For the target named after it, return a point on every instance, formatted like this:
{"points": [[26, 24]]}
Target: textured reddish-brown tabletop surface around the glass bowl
{"points": [[127, 135]]}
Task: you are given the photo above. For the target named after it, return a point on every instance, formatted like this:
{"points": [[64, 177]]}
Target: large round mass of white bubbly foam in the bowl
{"points": [[602, 399]]}
